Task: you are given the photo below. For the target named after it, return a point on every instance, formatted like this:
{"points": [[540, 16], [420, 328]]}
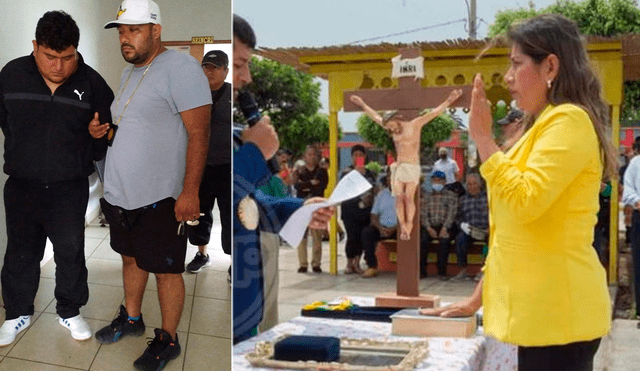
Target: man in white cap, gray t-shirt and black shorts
{"points": [[152, 174]]}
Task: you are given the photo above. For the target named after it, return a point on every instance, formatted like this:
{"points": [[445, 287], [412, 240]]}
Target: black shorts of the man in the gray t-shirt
{"points": [[148, 234]]}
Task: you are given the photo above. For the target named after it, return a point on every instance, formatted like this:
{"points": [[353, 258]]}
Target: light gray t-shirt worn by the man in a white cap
{"points": [[146, 162]]}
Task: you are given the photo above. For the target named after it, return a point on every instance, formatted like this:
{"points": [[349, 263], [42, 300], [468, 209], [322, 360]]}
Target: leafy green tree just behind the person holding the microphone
{"points": [[291, 99]]}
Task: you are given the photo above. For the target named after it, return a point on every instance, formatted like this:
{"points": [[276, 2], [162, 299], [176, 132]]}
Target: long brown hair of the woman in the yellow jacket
{"points": [[576, 82]]}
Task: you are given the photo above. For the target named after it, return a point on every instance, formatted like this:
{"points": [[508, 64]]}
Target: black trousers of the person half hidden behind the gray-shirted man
{"points": [[215, 186]]}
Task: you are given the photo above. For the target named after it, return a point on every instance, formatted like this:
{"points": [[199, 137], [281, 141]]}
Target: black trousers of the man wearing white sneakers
{"points": [[35, 212]]}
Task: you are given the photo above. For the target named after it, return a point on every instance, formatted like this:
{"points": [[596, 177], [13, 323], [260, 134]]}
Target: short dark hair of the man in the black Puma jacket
{"points": [[57, 30]]}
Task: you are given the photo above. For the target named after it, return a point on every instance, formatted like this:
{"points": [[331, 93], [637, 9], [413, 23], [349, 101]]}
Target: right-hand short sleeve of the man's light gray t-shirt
{"points": [[190, 95]]}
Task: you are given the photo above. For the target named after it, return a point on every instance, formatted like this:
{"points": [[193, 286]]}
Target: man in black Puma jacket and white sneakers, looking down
{"points": [[52, 107]]}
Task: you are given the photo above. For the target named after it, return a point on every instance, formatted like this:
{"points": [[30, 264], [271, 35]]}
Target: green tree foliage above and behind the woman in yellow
{"points": [[593, 17]]}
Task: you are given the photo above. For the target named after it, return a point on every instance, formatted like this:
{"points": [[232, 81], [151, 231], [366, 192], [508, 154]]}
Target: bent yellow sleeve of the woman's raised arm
{"points": [[564, 141]]}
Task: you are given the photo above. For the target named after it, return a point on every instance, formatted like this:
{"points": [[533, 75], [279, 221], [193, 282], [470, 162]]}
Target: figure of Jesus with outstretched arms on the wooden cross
{"points": [[405, 172]]}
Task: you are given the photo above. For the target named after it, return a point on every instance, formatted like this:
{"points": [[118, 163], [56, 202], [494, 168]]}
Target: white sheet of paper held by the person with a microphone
{"points": [[352, 185]]}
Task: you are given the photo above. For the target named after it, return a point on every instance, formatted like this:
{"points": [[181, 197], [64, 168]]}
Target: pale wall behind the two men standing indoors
{"points": [[99, 47]]}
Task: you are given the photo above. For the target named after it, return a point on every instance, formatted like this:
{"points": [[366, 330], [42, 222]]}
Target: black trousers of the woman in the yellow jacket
{"points": [[569, 357]]}
